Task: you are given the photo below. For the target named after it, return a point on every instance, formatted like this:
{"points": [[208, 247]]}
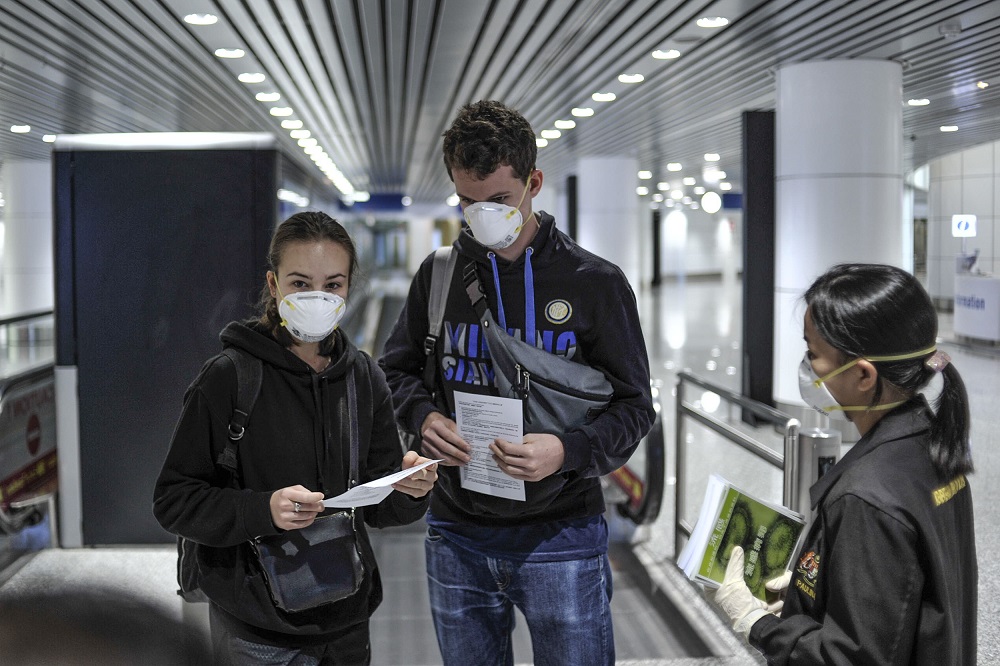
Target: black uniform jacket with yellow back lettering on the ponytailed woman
{"points": [[888, 572]]}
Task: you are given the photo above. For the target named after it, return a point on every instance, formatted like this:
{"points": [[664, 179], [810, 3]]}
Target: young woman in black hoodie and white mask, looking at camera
{"points": [[296, 446]]}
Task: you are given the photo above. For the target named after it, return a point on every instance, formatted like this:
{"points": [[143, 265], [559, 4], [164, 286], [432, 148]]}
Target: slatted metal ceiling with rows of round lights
{"points": [[376, 82]]}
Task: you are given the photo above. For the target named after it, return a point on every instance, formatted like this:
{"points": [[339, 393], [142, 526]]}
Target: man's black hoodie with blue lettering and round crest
{"points": [[584, 310]]}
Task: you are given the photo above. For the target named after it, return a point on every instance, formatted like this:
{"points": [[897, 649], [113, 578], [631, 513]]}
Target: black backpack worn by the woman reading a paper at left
{"points": [[249, 371]]}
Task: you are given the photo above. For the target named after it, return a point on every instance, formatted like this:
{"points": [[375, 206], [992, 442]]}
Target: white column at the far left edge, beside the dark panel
{"points": [[26, 273]]}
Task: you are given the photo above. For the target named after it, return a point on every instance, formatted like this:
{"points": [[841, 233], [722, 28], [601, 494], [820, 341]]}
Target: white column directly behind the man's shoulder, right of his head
{"points": [[608, 222]]}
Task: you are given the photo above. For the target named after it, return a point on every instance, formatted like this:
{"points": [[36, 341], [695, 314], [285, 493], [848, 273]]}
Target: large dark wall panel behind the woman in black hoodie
{"points": [[167, 247]]}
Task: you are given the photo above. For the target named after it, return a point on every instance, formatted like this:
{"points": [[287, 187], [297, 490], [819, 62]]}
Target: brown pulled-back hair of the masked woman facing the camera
{"points": [[306, 227]]}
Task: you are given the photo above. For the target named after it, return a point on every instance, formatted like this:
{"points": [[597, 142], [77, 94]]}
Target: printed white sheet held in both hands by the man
{"points": [[481, 419]]}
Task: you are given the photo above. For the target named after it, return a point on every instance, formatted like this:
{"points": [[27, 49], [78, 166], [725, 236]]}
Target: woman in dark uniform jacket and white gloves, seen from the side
{"points": [[888, 571]]}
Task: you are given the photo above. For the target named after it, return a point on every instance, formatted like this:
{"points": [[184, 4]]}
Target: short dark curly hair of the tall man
{"points": [[487, 135]]}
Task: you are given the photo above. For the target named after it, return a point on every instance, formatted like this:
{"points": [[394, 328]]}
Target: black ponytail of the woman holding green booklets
{"points": [[949, 447]]}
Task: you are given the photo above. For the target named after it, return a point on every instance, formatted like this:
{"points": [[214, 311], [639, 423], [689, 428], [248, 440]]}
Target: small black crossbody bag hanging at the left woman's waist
{"points": [[319, 564]]}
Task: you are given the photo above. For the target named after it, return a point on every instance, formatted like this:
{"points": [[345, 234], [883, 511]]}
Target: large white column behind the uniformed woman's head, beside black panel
{"points": [[839, 186]]}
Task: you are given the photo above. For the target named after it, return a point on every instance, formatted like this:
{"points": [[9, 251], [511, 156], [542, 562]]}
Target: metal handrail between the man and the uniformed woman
{"points": [[788, 462]]}
